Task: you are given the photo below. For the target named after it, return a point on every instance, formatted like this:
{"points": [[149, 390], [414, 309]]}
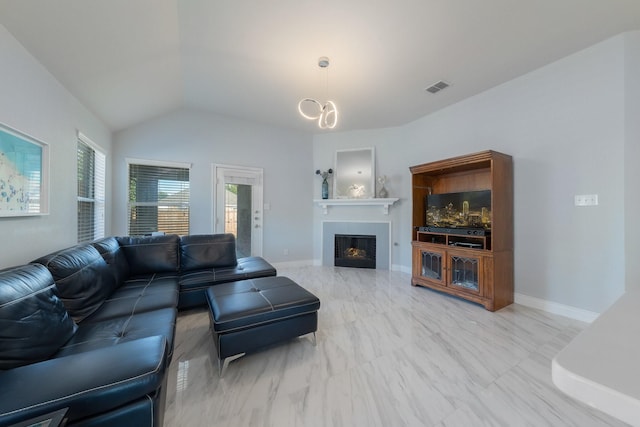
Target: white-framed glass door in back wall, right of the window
{"points": [[238, 206]]}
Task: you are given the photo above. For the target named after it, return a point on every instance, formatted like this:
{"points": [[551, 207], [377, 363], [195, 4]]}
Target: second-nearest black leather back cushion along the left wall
{"points": [[83, 278]]}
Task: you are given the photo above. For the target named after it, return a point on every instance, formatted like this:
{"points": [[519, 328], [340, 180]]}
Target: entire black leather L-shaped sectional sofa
{"points": [[87, 332]]}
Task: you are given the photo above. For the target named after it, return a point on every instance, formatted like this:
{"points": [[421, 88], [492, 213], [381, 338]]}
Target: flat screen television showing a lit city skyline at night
{"points": [[467, 209]]}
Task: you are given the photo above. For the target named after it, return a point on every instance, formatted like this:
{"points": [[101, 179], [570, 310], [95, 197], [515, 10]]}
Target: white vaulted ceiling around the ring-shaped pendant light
{"points": [[132, 60]]}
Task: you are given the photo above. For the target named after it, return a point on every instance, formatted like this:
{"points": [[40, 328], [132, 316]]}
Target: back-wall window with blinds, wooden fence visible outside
{"points": [[158, 198]]}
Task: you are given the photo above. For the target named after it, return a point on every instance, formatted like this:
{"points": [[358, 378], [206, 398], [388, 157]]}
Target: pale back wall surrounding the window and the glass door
{"points": [[284, 155]]}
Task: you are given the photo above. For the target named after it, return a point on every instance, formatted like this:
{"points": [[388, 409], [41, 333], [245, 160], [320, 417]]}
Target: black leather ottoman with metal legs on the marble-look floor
{"points": [[250, 314]]}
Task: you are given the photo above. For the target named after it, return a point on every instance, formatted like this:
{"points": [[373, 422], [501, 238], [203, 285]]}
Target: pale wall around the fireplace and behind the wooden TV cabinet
{"points": [[564, 126]]}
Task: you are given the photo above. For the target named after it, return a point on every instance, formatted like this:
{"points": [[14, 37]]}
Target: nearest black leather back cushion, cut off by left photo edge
{"points": [[34, 323]]}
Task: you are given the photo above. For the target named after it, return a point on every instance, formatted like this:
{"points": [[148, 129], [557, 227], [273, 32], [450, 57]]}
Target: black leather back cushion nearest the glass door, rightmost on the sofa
{"points": [[207, 251]]}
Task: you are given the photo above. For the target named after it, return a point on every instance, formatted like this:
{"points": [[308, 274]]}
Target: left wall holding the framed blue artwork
{"points": [[33, 102]]}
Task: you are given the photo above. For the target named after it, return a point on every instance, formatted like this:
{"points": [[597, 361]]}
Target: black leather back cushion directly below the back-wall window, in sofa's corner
{"points": [[151, 254]]}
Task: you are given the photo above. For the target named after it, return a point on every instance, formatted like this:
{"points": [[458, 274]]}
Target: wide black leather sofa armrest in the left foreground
{"points": [[87, 383]]}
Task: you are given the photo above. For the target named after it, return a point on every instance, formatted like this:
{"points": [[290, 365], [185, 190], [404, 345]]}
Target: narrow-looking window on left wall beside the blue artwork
{"points": [[91, 190]]}
